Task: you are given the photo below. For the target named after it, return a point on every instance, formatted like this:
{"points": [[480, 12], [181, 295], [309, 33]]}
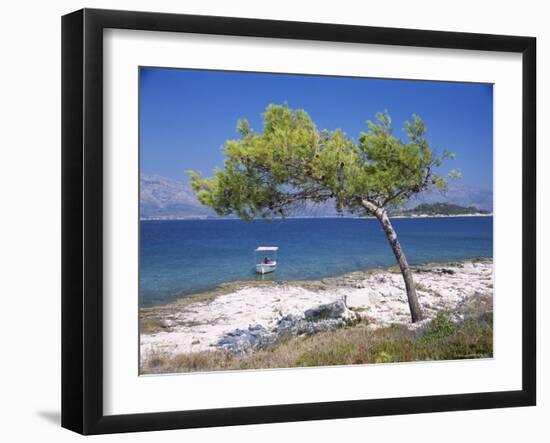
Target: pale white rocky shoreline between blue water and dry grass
{"points": [[241, 316]]}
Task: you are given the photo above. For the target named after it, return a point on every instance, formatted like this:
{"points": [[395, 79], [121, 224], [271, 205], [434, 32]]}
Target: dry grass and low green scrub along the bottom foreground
{"points": [[440, 339]]}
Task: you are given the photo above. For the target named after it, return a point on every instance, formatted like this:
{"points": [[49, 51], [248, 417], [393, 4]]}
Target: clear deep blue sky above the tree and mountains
{"points": [[186, 115]]}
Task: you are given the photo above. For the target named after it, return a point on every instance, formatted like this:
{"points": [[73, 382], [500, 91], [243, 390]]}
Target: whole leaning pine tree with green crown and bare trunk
{"points": [[291, 162]]}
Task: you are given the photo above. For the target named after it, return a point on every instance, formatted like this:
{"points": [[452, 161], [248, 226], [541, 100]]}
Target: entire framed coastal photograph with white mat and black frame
{"points": [[268, 221]]}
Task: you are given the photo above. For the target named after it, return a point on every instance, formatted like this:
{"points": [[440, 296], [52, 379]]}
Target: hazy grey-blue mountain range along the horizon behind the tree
{"points": [[166, 198]]}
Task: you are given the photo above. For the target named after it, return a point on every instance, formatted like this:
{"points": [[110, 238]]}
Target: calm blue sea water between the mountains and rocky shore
{"points": [[189, 256]]}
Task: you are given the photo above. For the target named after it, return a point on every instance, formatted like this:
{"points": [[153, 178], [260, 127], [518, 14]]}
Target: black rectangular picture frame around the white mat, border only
{"points": [[82, 220]]}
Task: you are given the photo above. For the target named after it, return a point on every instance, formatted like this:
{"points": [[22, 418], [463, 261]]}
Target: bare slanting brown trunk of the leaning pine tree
{"points": [[382, 216]]}
